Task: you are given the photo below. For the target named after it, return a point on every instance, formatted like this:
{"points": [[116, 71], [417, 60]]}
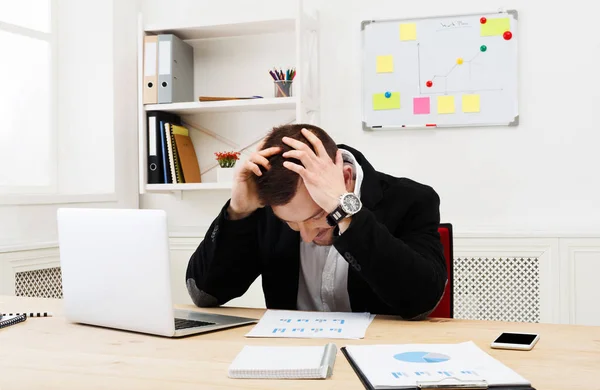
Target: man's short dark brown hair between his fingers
{"points": [[278, 185]]}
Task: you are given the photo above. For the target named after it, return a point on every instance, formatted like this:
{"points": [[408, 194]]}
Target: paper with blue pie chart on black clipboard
{"points": [[410, 365]]}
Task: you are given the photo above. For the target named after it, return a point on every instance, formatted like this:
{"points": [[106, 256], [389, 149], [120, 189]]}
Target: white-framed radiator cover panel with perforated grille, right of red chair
{"points": [[512, 279]]}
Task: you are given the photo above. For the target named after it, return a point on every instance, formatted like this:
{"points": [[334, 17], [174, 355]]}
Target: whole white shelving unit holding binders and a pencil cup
{"points": [[233, 50]]}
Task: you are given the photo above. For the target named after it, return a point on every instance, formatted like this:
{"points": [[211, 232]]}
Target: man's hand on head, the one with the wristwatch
{"points": [[323, 178]]}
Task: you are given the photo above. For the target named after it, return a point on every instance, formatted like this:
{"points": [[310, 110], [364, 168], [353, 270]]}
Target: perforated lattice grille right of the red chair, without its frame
{"points": [[497, 289]]}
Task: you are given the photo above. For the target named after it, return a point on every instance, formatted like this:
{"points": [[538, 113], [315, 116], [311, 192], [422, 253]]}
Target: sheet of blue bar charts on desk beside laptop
{"points": [[308, 324]]}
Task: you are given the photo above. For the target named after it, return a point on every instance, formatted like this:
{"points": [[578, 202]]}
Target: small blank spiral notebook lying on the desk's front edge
{"points": [[301, 362]]}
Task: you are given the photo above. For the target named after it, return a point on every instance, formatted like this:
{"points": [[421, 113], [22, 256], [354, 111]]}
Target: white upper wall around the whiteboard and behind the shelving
{"points": [[538, 177]]}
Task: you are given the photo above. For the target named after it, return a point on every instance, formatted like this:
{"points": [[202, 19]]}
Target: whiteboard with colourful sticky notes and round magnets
{"points": [[442, 71]]}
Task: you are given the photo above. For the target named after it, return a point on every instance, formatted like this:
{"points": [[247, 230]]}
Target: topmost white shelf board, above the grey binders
{"points": [[227, 30]]}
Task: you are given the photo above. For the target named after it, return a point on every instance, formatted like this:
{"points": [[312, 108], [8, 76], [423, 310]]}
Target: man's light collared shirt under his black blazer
{"points": [[323, 279]]}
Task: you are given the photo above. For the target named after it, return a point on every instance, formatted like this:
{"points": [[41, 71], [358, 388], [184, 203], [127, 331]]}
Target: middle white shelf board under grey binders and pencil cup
{"points": [[226, 106]]}
